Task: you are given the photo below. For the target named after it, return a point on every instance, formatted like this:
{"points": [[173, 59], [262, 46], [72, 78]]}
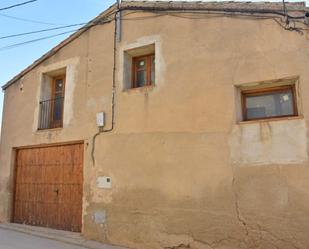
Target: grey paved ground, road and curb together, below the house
{"points": [[15, 236]]}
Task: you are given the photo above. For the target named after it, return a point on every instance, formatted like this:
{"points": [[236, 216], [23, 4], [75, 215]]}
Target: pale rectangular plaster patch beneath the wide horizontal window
{"points": [[272, 142]]}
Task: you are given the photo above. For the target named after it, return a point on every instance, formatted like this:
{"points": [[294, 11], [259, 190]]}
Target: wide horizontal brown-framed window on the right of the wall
{"points": [[269, 103]]}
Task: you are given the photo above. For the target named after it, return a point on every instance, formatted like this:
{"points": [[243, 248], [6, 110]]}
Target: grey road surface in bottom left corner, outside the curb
{"points": [[15, 240]]}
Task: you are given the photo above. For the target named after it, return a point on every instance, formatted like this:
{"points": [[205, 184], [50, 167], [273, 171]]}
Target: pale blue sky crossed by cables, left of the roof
{"points": [[60, 12]]}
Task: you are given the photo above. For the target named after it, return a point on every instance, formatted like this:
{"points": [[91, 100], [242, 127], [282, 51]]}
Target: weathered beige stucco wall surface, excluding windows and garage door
{"points": [[185, 173]]}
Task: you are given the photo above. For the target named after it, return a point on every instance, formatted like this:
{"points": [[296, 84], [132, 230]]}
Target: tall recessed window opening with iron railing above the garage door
{"points": [[51, 106]]}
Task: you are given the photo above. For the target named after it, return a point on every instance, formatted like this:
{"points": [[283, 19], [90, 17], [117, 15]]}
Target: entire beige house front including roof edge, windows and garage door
{"points": [[166, 125]]}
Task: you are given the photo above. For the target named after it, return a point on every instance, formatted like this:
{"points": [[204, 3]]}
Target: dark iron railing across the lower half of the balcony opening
{"points": [[51, 113]]}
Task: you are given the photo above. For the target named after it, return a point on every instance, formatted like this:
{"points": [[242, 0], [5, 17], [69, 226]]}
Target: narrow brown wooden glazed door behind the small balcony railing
{"points": [[58, 87]]}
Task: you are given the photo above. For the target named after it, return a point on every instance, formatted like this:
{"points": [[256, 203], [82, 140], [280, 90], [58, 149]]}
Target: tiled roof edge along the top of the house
{"points": [[262, 7]]}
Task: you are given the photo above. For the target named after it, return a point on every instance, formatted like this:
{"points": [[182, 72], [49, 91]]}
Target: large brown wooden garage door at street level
{"points": [[49, 187]]}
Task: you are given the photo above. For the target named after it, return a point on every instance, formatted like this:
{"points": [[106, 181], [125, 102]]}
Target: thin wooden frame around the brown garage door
{"points": [[14, 177]]}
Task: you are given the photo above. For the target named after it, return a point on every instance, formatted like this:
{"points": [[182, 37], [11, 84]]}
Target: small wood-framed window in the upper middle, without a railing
{"points": [[143, 71]]}
